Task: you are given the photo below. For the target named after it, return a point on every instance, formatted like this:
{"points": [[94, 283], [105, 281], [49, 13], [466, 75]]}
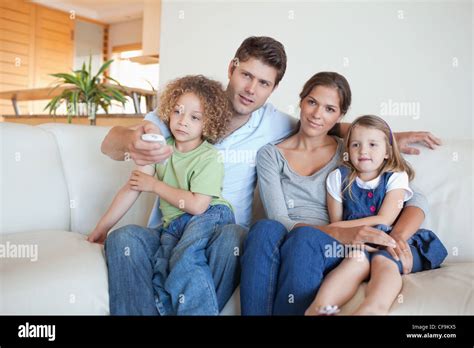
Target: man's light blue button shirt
{"points": [[239, 149]]}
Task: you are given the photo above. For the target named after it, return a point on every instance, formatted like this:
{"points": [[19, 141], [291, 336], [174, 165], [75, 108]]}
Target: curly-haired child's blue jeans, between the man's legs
{"points": [[183, 280]]}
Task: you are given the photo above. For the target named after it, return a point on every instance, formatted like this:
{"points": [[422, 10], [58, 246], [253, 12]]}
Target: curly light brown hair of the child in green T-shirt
{"points": [[216, 104]]}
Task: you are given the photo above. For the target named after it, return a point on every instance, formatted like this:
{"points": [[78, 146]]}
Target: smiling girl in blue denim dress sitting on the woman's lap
{"points": [[370, 189]]}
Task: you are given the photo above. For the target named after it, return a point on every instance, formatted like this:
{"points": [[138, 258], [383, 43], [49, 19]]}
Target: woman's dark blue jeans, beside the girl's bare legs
{"points": [[282, 271]]}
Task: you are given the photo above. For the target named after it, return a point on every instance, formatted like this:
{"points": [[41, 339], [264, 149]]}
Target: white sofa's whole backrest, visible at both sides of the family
{"points": [[54, 176]]}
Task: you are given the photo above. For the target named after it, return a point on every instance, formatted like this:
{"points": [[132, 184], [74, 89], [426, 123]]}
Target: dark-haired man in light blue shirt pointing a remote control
{"points": [[254, 73]]}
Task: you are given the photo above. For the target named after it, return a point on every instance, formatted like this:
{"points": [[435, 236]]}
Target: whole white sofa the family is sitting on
{"points": [[55, 184]]}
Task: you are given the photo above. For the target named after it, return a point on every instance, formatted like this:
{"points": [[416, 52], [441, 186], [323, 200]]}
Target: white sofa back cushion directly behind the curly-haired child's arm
{"points": [[92, 178]]}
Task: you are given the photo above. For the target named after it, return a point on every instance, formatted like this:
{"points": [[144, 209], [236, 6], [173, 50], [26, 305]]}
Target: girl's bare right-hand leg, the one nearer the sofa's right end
{"points": [[384, 286]]}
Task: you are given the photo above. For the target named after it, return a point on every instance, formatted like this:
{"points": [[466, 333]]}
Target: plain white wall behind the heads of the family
{"points": [[416, 57]]}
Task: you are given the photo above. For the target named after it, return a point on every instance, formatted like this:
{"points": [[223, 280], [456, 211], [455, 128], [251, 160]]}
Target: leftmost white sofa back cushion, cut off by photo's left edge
{"points": [[32, 185]]}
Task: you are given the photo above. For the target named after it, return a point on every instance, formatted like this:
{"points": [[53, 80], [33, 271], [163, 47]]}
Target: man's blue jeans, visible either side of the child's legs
{"points": [[131, 252]]}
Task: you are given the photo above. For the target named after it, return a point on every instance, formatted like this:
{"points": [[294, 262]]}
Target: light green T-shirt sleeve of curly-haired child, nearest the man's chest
{"points": [[207, 178]]}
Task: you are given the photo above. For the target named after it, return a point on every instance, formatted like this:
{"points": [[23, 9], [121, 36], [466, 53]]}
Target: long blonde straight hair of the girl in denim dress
{"points": [[394, 163]]}
